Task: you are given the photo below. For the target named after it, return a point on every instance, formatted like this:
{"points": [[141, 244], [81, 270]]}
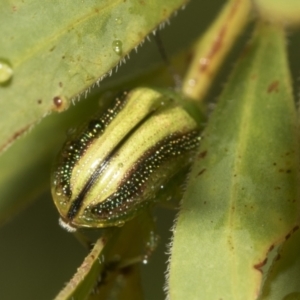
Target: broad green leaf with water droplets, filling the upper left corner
{"points": [[60, 48]]}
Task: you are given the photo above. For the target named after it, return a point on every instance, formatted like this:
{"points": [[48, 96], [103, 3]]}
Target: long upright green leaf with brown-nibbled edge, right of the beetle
{"points": [[242, 198]]}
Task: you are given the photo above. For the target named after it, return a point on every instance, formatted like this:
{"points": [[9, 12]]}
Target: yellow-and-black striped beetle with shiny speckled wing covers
{"points": [[113, 166]]}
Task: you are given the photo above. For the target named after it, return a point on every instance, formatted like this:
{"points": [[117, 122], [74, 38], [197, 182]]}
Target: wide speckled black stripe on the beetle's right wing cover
{"points": [[124, 200]]}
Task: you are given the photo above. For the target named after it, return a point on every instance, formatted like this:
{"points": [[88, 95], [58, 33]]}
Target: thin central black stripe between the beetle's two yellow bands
{"points": [[77, 203]]}
